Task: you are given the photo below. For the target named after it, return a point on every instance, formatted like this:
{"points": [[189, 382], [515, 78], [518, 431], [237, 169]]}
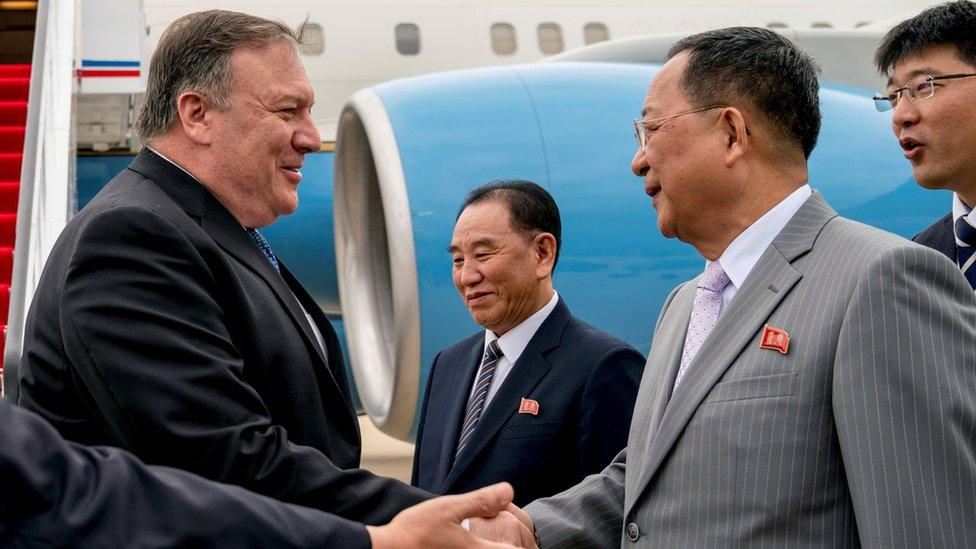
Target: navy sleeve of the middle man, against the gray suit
{"points": [[607, 407]]}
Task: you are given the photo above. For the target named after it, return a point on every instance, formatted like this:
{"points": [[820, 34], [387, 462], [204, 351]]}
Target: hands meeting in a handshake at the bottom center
{"points": [[493, 523]]}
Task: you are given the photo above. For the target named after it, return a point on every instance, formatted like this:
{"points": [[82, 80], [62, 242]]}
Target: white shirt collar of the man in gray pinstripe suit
{"points": [[744, 252]]}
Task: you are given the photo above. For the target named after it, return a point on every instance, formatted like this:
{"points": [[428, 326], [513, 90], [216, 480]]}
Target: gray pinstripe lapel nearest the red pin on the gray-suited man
{"points": [[770, 281]]}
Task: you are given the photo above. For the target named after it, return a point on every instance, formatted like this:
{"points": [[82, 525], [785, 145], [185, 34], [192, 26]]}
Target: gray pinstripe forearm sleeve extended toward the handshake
{"points": [[589, 514]]}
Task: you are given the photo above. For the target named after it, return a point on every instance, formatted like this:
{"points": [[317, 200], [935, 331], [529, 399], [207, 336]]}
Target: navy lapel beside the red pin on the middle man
{"points": [[526, 373]]}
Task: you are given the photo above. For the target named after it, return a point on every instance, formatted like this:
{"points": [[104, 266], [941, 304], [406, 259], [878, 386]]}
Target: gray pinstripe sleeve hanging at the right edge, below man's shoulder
{"points": [[904, 400]]}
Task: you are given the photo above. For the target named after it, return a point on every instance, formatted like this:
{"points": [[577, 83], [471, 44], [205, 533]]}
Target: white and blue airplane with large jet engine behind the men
{"points": [[377, 206]]}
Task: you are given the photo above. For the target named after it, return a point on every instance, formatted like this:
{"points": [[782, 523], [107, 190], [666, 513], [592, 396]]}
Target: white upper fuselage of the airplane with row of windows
{"points": [[355, 44]]}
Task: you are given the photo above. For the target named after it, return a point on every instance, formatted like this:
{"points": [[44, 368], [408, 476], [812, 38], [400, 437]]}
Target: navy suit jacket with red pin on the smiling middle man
{"points": [[585, 382]]}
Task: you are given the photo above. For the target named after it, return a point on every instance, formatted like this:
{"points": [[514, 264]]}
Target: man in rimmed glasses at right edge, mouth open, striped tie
{"points": [[930, 60]]}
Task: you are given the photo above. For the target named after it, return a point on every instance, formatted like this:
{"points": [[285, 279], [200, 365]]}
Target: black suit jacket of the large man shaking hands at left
{"points": [[159, 327]]}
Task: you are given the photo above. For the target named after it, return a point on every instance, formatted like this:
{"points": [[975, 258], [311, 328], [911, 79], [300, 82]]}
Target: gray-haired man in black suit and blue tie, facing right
{"points": [[164, 324]]}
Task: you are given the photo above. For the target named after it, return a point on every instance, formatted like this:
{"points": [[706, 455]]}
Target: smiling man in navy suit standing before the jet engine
{"points": [[539, 399]]}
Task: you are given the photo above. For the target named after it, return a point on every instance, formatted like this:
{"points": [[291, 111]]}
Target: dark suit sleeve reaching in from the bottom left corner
{"points": [[58, 494]]}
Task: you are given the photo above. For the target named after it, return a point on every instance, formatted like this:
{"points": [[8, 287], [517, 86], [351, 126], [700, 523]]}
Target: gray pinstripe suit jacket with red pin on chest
{"points": [[862, 435]]}
